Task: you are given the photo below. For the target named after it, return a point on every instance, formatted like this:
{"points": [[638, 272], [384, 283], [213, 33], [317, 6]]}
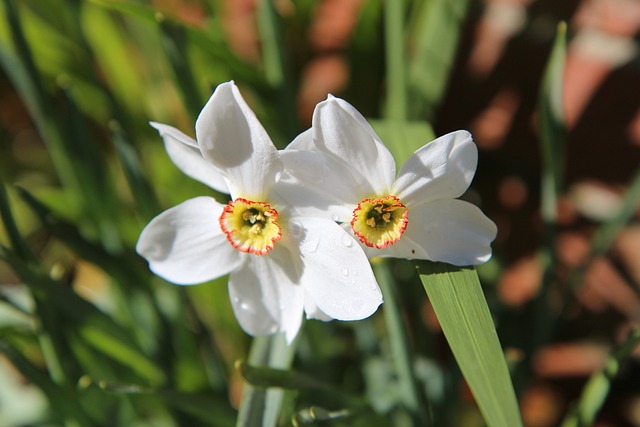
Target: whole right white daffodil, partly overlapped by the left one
{"points": [[413, 215]]}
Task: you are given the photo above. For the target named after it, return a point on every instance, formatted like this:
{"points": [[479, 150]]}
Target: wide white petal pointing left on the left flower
{"points": [[185, 244]]}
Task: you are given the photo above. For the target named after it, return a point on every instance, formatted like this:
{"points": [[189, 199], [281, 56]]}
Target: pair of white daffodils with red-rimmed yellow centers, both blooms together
{"points": [[290, 236]]}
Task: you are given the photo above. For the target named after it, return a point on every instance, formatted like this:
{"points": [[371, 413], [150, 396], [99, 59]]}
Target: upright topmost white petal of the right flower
{"points": [[339, 128]]}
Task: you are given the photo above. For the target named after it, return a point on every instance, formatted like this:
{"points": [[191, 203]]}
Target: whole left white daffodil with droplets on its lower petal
{"points": [[281, 264]]}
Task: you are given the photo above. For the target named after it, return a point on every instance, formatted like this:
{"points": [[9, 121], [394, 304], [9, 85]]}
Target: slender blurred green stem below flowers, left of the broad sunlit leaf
{"points": [[414, 400]]}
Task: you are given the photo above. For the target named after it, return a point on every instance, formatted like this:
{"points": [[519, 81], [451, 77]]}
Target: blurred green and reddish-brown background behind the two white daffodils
{"points": [[89, 337]]}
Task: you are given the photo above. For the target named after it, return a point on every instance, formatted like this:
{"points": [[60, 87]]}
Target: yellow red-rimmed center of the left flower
{"points": [[250, 226]]}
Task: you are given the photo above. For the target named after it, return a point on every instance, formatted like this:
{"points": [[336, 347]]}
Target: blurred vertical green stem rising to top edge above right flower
{"points": [[396, 106]]}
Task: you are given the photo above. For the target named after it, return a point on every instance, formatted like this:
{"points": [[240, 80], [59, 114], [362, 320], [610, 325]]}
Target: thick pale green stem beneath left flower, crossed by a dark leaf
{"points": [[261, 406]]}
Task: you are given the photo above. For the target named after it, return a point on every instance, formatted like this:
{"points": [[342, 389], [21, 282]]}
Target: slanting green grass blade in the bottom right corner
{"points": [[597, 388]]}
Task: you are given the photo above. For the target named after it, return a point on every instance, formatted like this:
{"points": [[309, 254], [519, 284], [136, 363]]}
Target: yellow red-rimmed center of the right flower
{"points": [[379, 221]]}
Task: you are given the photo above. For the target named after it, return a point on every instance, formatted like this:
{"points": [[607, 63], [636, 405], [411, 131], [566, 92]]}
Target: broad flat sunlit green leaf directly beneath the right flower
{"points": [[457, 299]]}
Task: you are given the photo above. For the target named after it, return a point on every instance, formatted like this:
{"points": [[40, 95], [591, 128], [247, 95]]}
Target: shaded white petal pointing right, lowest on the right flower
{"points": [[452, 231]]}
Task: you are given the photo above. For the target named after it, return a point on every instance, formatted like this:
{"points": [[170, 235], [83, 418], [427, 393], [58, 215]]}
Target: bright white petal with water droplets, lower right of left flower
{"points": [[336, 272]]}
